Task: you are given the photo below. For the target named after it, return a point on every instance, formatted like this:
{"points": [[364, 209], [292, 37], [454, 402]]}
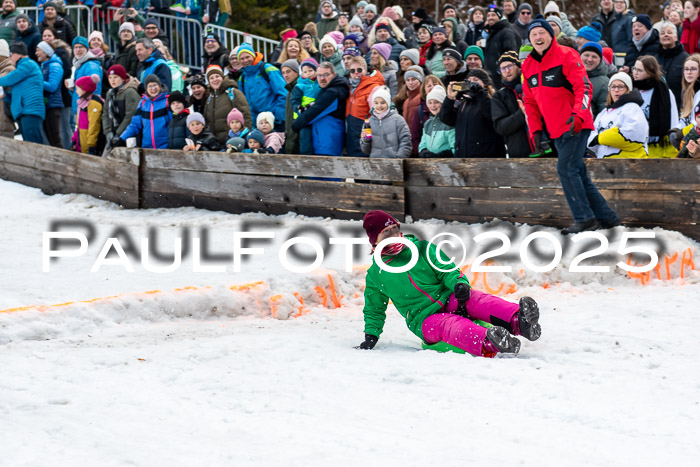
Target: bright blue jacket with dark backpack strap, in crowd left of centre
{"points": [[264, 94]]}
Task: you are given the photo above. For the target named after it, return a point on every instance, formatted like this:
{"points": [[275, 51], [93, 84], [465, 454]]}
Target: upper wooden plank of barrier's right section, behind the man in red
{"points": [[632, 174]]}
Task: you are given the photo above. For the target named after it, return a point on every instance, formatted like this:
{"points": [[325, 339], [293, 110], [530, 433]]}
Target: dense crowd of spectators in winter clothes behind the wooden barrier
{"points": [[372, 83]]}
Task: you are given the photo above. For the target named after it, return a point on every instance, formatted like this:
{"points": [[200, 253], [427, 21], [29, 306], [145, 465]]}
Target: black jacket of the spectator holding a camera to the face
{"points": [[474, 132]]}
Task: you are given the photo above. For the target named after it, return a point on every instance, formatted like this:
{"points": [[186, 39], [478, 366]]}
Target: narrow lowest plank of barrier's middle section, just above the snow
{"points": [[237, 206]]}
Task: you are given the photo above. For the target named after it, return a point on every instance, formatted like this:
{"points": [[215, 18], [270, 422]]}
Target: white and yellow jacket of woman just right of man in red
{"points": [[622, 129]]}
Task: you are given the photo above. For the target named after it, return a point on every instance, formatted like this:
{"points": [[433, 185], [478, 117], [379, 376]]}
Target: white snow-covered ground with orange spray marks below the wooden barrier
{"points": [[187, 368]]}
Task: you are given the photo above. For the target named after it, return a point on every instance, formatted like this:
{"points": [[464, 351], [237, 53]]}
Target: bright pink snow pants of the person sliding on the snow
{"points": [[463, 332]]}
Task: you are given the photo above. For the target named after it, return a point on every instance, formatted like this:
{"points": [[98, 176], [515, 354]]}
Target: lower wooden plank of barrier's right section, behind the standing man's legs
{"points": [[677, 207]]}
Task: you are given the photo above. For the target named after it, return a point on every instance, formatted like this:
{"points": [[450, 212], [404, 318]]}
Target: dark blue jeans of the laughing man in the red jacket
{"points": [[585, 201]]}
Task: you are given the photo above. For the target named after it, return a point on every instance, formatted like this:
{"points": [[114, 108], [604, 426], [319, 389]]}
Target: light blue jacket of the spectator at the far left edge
{"points": [[27, 85]]}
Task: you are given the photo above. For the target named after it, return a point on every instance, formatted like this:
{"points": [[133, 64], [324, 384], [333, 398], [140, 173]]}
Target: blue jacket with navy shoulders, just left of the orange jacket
{"points": [[327, 118]]}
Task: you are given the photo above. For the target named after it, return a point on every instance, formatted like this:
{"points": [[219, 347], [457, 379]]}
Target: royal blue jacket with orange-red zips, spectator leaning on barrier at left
{"points": [[151, 120]]}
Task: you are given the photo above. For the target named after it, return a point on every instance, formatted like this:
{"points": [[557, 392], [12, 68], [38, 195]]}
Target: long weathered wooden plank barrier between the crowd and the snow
{"points": [[644, 192]]}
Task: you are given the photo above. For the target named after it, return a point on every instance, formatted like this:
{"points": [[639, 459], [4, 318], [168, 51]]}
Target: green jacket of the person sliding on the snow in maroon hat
{"points": [[416, 294]]}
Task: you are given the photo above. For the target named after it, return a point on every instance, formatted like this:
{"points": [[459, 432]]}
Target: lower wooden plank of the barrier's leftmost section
{"points": [[53, 183]]}
